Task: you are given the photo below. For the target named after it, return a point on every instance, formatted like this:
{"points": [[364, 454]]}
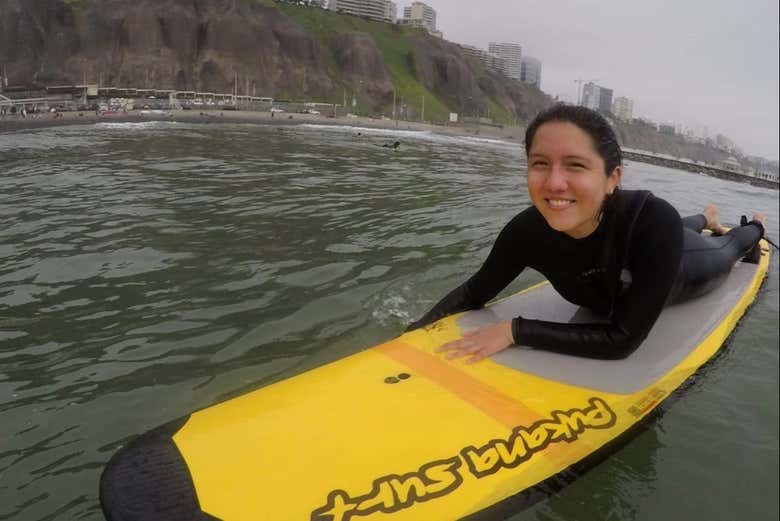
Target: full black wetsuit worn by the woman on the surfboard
{"points": [[641, 257]]}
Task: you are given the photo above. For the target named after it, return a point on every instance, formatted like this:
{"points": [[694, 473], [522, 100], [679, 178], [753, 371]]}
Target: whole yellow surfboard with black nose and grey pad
{"points": [[398, 432]]}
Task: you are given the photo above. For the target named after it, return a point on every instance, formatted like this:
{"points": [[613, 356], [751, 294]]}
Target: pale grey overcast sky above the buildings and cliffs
{"points": [[710, 63]]}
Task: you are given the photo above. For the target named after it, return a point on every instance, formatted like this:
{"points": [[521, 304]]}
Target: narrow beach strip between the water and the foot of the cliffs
{"points": [[47, 120]]}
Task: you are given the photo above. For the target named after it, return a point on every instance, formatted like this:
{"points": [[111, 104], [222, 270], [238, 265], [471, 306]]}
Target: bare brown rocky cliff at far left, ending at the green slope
{"points": [[171, 44]]}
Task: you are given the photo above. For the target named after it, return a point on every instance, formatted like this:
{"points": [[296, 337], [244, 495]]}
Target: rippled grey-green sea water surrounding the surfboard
{"points": [[148, 270]]}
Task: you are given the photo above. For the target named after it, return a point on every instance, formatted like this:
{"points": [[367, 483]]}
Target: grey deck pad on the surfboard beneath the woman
{"points": [[676, 333]]}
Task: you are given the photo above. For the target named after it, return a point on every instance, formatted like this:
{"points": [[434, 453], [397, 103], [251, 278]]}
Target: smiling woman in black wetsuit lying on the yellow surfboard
{"points": [[623, 254]]}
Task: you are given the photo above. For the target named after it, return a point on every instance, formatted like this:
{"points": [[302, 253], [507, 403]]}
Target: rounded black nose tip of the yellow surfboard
{"points": [[148, 480]]}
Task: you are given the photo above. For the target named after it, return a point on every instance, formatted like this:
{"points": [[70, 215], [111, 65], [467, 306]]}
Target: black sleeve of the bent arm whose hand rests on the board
{"points": [[655, 253]]}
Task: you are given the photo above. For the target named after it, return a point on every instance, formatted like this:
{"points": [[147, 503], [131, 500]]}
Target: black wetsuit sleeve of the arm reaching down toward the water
{"points": [[503, 264]]}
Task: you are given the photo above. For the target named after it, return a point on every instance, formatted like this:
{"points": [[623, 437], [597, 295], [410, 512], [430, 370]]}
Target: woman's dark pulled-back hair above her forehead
{"points": [[591, 122]]}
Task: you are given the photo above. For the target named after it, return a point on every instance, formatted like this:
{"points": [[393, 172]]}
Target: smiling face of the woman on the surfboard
{"points": [[566, 178]]}
